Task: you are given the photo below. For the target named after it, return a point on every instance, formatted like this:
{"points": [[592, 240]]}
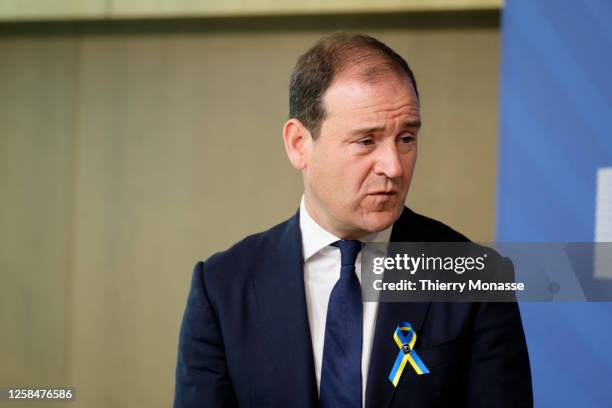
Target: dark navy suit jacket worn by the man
{"points": [[245, 339]]}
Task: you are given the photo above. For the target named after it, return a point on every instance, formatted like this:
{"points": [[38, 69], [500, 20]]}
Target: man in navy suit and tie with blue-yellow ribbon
{"points": [[277, 320]]}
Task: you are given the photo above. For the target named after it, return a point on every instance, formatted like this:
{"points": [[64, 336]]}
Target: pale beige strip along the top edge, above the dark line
{"points": [[37, 10]]}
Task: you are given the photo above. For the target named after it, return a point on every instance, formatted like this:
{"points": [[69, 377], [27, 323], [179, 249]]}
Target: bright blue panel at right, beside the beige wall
{"points": [[555, 132]]}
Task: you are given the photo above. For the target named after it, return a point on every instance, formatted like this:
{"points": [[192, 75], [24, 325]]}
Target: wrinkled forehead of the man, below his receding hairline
{"points": [[353, 96]]}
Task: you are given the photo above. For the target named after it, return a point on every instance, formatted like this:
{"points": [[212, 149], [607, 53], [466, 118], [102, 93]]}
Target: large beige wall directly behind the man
{"points": [[128, 154]]}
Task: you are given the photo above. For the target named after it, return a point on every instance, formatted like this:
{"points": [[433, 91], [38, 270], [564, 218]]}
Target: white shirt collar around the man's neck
{"points": [[315, 237]]}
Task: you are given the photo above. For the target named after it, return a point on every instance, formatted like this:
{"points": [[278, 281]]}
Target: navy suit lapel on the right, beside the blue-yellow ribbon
{"points": [[379, 390]]}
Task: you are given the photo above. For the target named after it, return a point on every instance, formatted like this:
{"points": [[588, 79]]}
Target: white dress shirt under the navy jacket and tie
{"points": [[321, 272]]}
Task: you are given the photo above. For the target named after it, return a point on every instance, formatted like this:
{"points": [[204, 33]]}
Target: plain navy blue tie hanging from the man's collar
{"points": [[341, 367]]}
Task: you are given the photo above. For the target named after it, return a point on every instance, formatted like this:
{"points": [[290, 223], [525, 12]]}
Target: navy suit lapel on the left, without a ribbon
{"points": [[281, 301]]}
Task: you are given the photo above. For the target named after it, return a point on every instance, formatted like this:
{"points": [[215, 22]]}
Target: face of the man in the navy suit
{"points": [[358, 171]]}
